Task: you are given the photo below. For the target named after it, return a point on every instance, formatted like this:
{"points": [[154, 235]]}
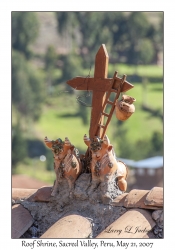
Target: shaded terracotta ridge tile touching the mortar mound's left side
{"points": [[42, 194]]}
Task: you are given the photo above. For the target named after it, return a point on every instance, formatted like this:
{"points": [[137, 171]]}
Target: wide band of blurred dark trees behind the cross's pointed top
{"points": [[129, 36]]}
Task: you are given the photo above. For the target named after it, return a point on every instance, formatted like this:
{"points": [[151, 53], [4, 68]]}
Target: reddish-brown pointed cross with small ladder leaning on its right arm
{"points": [[101, 87]]}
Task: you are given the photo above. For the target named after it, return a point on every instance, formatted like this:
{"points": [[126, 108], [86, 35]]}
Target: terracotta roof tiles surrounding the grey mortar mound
{"points": [[140, 204]]}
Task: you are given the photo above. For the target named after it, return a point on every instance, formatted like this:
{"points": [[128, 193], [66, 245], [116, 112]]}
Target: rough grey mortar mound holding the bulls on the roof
{"points": [[93, 208]]}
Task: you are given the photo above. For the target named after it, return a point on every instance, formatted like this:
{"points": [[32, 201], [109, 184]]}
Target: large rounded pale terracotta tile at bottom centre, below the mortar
{"points": [[71, 226]]}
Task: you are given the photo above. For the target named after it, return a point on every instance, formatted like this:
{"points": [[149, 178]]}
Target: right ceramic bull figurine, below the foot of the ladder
{"points": [[104, 163]]}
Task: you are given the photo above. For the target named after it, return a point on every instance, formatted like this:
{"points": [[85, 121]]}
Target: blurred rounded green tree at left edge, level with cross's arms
{"points": [[27, 89]]}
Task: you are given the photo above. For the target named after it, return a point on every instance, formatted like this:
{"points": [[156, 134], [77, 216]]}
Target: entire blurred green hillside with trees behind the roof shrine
{"points": [[49, 48]]}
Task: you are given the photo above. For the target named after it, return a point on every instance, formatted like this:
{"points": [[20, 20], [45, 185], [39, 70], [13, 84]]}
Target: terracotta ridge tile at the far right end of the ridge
{"points": [[155, 197]]}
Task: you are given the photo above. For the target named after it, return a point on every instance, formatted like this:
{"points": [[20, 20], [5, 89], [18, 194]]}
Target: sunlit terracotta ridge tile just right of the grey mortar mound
{"points": [[136, 199]]}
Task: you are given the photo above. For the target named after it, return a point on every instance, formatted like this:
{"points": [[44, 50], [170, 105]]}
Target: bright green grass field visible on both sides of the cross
{"points": [[63, 116]]}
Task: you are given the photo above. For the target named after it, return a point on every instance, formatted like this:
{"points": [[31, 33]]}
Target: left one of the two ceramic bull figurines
{"points": [[66, 162]]}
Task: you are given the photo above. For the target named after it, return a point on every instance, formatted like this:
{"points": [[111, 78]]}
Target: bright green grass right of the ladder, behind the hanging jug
{"points": [[142, 121]]}
